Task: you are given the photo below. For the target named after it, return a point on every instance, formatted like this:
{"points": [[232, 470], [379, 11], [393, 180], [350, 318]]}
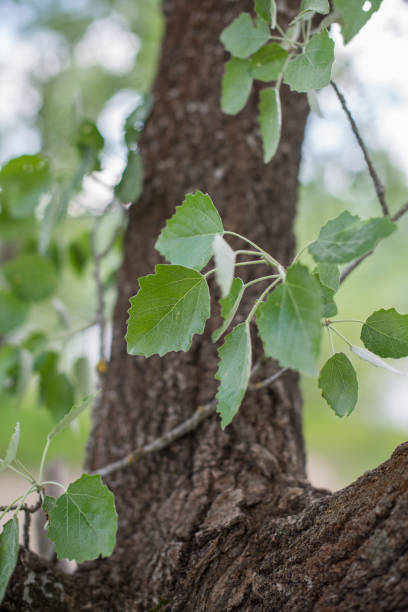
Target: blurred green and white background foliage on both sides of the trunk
{"points": [[75, 77]]}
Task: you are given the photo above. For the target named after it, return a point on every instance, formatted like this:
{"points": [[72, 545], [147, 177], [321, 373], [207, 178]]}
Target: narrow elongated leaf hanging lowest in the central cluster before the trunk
{"points": [[233, 372]]}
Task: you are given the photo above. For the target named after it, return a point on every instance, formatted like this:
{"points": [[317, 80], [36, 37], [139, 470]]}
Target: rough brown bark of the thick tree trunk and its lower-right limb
{"points": [[221, 520]]}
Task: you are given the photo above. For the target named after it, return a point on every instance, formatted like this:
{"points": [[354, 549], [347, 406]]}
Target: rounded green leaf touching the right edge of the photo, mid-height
{"points": [[385, 333]]}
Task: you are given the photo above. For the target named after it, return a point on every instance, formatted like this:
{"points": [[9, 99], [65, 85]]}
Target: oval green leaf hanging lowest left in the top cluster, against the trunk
{"points": [[236, 86]]}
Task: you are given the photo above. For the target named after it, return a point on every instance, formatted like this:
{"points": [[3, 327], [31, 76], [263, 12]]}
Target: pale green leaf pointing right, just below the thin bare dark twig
{"points": [[347, 237]]}
